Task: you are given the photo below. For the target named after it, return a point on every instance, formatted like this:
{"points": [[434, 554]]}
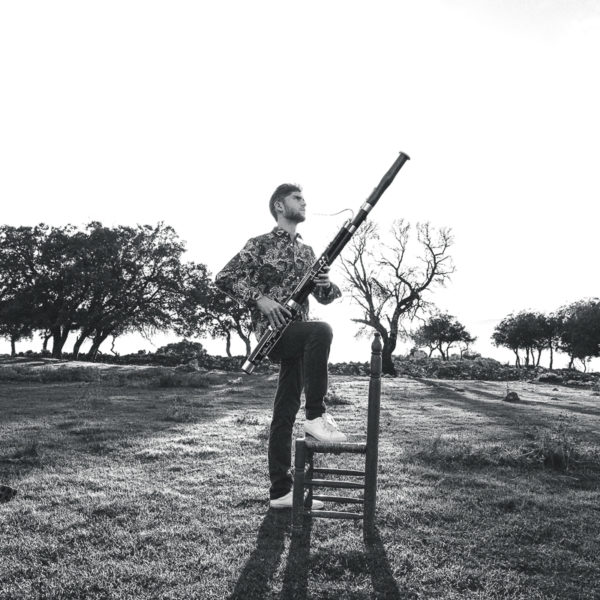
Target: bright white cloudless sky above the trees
{"points": [[192, 113]]}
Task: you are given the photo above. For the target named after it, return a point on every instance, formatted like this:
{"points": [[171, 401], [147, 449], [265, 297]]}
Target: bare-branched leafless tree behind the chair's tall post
{"points": [[388, 290]]}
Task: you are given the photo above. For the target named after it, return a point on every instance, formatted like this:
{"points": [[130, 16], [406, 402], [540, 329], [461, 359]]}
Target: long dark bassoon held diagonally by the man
{"points": [[271, 336]]}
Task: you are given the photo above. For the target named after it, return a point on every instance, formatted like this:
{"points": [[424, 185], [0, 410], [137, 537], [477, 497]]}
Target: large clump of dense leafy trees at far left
{"points": [[99, 281]]}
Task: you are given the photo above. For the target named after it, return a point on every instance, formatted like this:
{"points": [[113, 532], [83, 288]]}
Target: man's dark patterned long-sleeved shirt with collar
{"points": [[271, 265]]}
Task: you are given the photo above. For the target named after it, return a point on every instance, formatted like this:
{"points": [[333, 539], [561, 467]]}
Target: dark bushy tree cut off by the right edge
{"points": [[580, 330]]}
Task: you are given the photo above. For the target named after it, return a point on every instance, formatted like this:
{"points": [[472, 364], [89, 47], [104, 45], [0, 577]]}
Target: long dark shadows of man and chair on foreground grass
{"points": [[256, 579]]}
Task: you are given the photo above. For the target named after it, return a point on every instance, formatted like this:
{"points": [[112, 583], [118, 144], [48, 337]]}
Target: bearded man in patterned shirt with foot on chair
{"points": [[263, 276]]}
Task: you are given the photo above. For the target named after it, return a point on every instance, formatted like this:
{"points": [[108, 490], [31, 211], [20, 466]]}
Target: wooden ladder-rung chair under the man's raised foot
{"points": [[306, 474]]}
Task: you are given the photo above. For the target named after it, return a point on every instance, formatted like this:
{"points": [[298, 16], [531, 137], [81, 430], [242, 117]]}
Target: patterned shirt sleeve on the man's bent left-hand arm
{"points": [[238, 279]]}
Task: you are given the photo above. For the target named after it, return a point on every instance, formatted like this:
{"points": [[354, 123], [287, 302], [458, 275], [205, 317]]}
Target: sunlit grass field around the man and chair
{"points": [[141, 491]]}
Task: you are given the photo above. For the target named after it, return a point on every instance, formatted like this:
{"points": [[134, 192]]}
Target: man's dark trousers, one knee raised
{"points": [[303, 352]]}
